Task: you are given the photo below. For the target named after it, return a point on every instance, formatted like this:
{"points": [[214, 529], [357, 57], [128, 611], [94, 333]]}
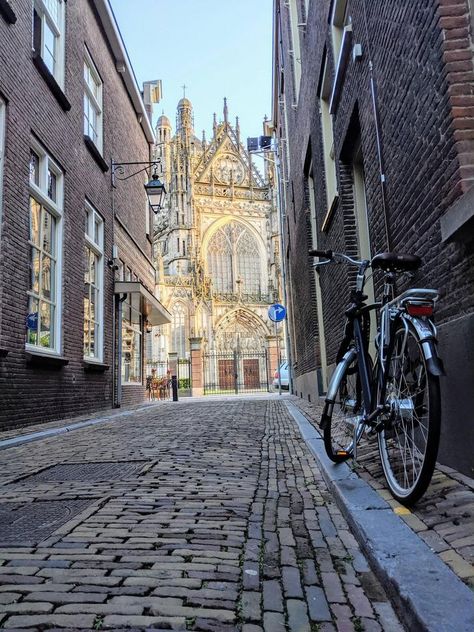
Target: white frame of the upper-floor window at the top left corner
{"points": [[57, 27]]}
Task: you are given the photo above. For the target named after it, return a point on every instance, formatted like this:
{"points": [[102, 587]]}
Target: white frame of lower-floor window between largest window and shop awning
{"points": [[97, 247]]}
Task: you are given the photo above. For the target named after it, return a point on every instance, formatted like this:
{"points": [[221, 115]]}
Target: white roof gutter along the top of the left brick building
{"points": [[123, 65]]}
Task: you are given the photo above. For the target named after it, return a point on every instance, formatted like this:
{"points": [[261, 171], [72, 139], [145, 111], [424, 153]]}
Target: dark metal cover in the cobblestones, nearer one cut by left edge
{"points": [[27, 525]]}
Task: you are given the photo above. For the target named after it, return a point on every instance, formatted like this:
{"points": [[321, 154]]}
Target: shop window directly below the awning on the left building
{"points": [[132, 340]]}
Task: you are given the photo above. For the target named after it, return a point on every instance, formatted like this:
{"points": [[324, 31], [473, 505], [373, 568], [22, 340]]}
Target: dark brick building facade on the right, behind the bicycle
{"points": [[374, 118]]}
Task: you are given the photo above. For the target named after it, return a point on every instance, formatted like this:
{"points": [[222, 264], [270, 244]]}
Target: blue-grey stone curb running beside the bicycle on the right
{"points": [[426, 593]]}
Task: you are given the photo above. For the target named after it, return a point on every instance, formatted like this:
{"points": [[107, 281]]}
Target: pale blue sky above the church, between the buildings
{"points": [[217, 48]]}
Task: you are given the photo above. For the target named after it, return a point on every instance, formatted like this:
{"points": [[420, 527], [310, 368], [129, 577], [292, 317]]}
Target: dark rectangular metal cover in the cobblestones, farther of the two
{"points": [[84, 472]]}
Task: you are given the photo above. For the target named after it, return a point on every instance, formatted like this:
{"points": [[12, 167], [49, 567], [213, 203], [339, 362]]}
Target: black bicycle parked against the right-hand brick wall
{"points": [[396, 395]]}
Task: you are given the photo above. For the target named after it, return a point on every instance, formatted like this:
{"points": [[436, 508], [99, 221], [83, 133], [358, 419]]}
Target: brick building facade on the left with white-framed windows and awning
{"points": [[69, 106]]}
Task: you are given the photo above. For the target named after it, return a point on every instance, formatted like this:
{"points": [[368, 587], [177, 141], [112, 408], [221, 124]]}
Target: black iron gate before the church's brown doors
{"points": [[235, 372]]}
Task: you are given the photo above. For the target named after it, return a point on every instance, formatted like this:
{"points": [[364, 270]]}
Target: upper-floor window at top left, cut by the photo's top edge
{"points": [[48, 35]]}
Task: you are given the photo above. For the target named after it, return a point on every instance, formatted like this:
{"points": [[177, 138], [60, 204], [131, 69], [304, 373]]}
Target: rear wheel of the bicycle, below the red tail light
{"points": [[409, 442]]}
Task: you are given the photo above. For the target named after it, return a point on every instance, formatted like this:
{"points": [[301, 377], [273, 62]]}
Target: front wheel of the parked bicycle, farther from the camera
{"points": [[344, 413]]}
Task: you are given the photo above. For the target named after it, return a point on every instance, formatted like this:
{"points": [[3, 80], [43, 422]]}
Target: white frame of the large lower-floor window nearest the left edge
{"points": [[40, 193]]}
